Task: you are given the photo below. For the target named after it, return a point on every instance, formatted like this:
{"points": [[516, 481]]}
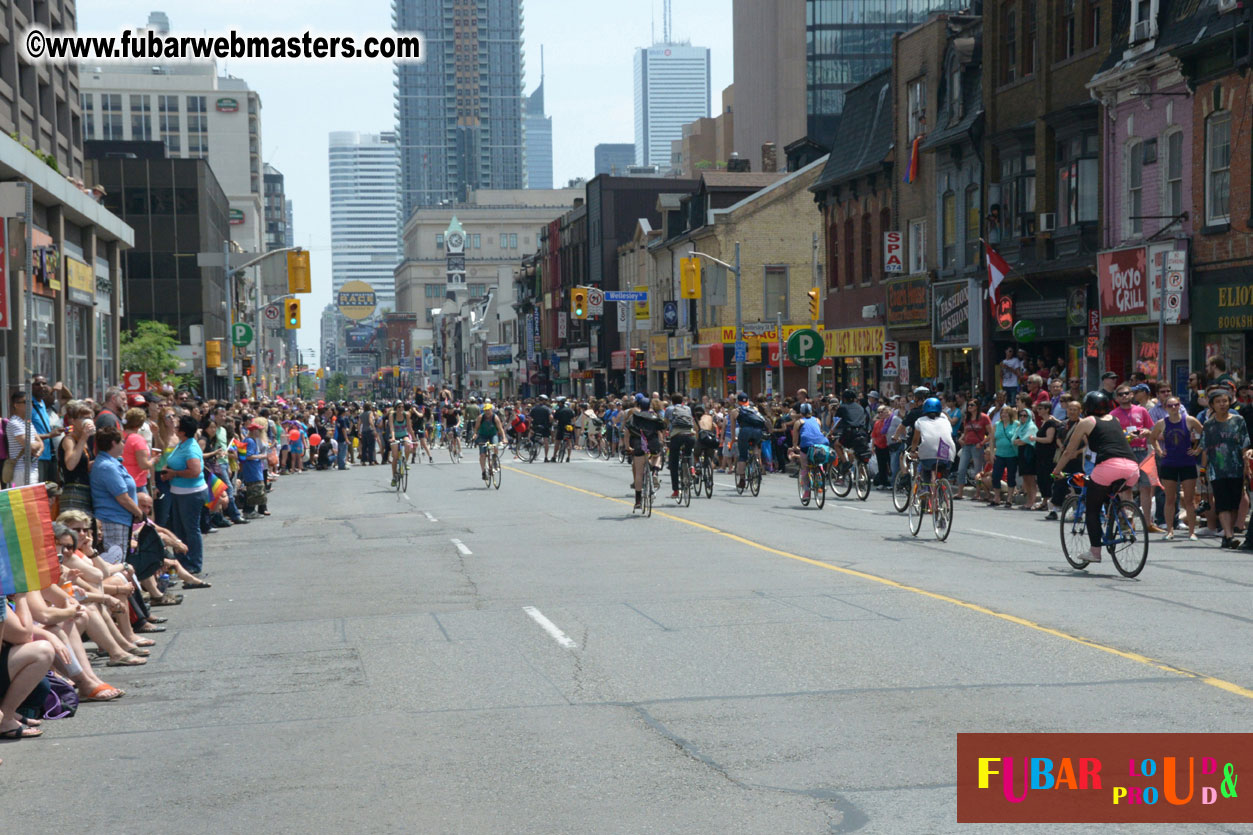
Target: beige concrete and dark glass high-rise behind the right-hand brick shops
{"points": [[794, 63]]}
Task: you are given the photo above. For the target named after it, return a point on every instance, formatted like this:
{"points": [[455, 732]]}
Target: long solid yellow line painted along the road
{"points": [[935, 596]]}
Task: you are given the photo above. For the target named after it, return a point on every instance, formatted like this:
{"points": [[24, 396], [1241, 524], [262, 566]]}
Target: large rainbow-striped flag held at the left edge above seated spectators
{"points": [[28, 551]]}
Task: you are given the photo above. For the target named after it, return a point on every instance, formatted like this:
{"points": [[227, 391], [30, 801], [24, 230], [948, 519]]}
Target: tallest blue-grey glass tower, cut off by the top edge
{"points": [[459, 113]]}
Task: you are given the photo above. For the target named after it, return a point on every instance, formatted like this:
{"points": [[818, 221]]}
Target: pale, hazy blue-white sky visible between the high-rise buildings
{"points": [[588, 55]]}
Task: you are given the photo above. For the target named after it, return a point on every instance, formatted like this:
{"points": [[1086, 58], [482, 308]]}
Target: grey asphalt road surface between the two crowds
{"points": [[537, 660]]}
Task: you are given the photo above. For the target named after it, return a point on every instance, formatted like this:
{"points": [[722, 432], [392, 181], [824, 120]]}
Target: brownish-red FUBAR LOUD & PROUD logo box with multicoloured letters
{"points": [[1103, 778]]}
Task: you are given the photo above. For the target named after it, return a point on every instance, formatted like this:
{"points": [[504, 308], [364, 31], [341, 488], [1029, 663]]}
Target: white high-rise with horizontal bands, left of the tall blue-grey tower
{"points": [[365, 213]]}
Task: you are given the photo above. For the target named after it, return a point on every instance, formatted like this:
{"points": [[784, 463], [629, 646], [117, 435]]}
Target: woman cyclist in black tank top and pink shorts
{"points": [[1107, 444]]}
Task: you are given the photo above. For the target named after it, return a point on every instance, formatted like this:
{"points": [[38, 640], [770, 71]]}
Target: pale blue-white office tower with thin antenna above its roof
{"points": [[672, 90]]}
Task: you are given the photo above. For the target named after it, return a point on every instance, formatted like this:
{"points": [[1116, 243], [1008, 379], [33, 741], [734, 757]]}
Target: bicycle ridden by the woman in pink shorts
{"points": [[1125, 533]]}
